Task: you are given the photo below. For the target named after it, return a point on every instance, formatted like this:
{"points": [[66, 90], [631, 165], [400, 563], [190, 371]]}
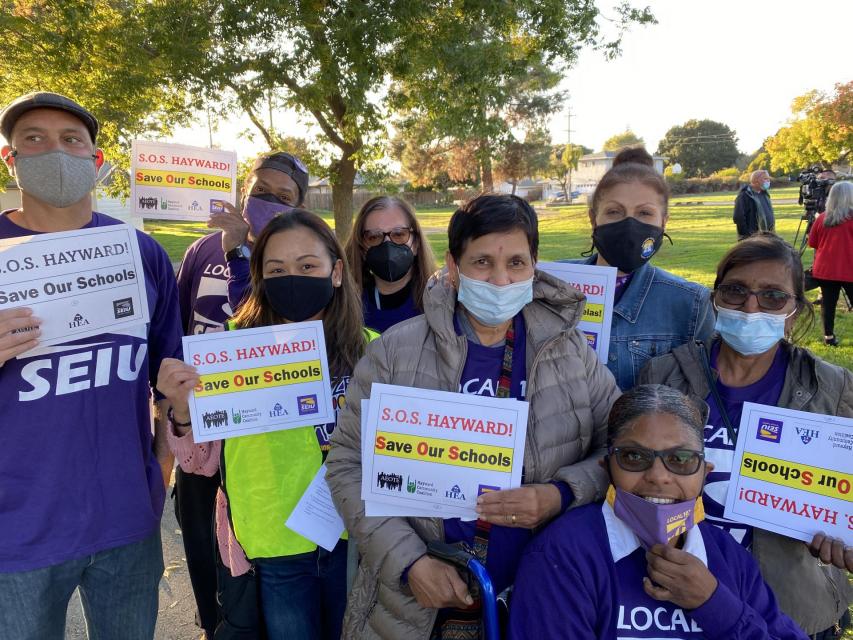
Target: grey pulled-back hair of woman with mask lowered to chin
{"points": [[648, 399]]}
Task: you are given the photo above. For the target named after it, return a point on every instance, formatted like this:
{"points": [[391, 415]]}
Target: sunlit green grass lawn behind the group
{"points": [[701, 235]]}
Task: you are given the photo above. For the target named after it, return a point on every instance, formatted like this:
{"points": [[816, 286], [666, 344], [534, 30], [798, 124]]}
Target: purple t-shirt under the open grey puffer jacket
{"points": [[480, 377]]}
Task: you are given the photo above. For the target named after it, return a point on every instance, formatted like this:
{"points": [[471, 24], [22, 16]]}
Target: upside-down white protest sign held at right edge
{"points": [[791, 473]]}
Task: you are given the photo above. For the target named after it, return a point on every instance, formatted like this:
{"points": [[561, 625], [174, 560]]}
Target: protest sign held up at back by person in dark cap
{"points": [[177, 182]]}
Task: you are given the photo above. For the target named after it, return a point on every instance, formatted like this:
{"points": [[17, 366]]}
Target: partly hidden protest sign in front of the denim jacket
{"points": [[598, 284]]}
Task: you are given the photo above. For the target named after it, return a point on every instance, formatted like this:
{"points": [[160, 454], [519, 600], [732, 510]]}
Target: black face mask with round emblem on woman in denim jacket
{"points": [[627, 244]]}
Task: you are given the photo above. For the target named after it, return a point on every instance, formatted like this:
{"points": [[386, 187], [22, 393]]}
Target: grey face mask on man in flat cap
{"points": [[56, 178]]}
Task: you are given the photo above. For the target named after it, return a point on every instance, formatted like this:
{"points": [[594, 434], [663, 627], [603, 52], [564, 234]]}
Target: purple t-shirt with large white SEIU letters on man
{"points": [[78, 469]]}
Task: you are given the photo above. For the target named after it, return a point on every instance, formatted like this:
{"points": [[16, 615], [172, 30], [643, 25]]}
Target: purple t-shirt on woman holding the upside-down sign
{"points": [[719, 448]]}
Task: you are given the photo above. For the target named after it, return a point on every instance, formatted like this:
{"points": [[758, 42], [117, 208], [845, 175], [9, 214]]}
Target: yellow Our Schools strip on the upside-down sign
{"points": [[825, 482]]}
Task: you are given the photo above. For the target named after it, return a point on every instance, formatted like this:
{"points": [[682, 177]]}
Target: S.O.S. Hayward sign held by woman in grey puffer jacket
{"points": [[437, 451]]}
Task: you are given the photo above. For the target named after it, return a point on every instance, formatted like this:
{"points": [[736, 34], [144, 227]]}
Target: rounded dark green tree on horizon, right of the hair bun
{"points": [[701, 147]]}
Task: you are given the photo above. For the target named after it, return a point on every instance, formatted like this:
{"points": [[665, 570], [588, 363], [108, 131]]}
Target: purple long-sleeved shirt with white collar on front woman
{"points": [[583, 578]]}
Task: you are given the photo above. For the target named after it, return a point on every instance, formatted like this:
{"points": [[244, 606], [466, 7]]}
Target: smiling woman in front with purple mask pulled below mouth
{"points": [[616, 570]]}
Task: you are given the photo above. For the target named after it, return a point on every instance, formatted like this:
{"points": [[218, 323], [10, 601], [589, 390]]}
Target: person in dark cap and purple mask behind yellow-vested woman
{"points": [[276, 183]]}
